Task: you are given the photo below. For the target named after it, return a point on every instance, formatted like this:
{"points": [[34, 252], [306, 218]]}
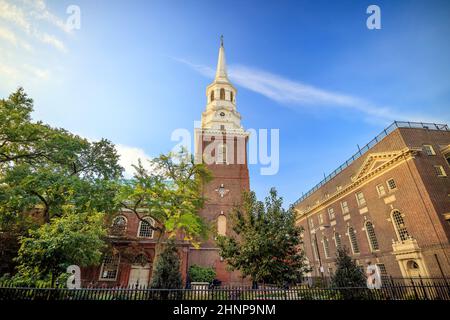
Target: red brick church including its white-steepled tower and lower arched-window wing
{"points": [[221, 144]]}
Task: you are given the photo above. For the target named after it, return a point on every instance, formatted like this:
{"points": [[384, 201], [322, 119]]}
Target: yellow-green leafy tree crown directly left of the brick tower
{"points": [[170, 193]]}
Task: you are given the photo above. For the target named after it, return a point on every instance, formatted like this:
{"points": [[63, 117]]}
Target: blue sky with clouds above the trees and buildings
{"points": [[137, 70]]}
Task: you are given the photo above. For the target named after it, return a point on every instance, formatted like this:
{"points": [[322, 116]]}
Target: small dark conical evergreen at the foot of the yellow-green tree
{"points": [[166, 274]]}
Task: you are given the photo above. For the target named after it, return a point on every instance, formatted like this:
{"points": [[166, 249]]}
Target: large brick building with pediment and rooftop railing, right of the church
{"points": [[388, 204]]}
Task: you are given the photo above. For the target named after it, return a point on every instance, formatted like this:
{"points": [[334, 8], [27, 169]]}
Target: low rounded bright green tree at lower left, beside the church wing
{"points": [[70, 239]]}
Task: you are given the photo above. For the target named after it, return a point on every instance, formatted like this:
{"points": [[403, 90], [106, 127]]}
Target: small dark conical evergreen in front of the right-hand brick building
{"points": [[348, 274]]}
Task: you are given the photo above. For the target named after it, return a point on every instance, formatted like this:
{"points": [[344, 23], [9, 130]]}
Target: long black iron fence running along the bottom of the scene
{"points": [[407, 289]]}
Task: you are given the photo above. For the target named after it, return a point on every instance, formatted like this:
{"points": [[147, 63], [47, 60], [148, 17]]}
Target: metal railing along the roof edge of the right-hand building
{"points": [[367, 147]]}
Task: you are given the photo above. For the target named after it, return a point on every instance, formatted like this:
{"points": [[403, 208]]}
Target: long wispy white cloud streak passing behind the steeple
{"points": [[297, 94]]}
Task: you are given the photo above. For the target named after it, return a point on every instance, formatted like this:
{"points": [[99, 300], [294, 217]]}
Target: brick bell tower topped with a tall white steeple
{"points": [[221, 143]]}
